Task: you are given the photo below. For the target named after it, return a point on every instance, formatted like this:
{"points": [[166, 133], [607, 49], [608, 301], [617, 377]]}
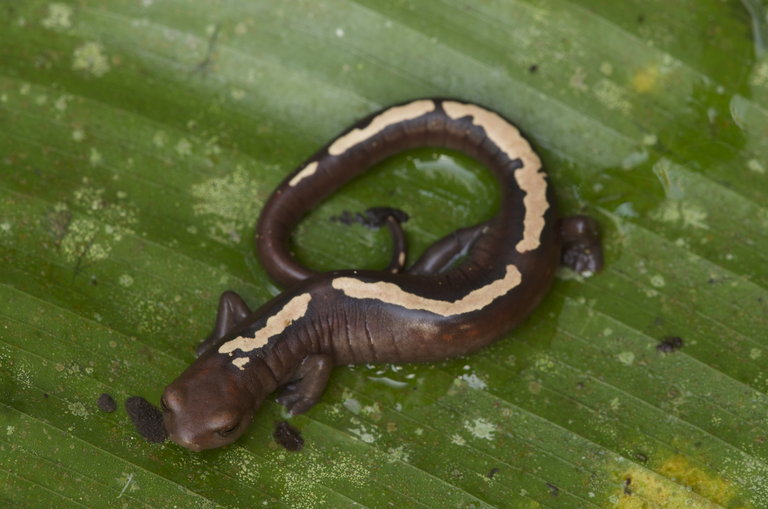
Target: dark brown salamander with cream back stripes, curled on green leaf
{"points": [[467, 290]]}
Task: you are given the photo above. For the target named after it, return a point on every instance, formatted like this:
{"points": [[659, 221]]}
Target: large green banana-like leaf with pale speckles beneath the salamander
{"points": [[141, 138]]}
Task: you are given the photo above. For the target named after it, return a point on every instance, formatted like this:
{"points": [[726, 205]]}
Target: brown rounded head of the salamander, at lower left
{"points": [[208, 406]]}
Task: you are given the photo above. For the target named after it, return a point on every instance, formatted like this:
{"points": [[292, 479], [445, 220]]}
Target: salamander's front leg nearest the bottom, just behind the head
{"points": [[307, 385]]}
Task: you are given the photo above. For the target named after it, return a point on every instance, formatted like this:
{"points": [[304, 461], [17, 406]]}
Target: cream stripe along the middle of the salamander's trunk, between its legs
{"points": [[391, 293]]}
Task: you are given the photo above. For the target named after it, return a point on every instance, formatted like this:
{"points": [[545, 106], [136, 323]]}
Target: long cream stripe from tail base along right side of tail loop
{"points": [[530, 179]]}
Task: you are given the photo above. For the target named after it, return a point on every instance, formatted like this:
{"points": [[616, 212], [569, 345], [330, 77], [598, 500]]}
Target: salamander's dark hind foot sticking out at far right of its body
{"points": [[582, 248]]}
